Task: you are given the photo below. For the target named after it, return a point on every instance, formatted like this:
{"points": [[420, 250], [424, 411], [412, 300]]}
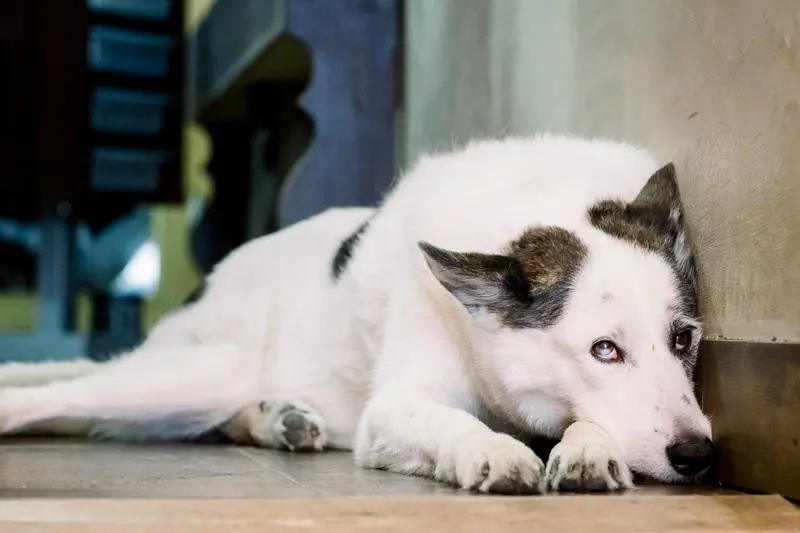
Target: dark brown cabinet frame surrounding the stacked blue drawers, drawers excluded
{"points": [[45, 104]]}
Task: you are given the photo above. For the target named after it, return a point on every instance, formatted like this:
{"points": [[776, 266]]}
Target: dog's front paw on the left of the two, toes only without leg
{"points": [[498, 464]]}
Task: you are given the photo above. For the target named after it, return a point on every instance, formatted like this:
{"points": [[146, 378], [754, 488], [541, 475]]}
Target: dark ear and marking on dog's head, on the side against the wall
{"points": [[654, 221]]}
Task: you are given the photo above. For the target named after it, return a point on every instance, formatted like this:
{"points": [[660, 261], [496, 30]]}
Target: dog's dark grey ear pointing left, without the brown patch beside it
{"points": [[476, 280]]}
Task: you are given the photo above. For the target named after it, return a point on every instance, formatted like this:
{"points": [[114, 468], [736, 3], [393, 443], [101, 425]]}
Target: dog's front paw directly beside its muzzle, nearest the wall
{"points": [[587, 466]]}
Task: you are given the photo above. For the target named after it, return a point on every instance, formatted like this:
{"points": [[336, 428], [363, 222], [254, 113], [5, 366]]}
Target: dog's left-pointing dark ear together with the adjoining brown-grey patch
{"points": [[527, 287]]}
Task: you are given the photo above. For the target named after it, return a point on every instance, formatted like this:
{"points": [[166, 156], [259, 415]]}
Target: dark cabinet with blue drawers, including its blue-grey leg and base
{"points": [[91, 121]]}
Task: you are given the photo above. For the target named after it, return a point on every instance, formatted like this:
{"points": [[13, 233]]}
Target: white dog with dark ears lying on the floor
{"points": [[528, 286]]}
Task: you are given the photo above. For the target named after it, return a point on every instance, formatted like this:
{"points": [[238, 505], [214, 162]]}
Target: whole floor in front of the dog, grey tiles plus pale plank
{"points": [[93, 488]]}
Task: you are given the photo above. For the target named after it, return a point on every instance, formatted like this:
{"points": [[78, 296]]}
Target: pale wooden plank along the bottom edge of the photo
{"points": [[573, 514]]}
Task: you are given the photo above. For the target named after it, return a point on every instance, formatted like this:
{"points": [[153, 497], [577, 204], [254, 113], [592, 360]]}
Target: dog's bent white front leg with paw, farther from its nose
{"points": [[419, 420]]}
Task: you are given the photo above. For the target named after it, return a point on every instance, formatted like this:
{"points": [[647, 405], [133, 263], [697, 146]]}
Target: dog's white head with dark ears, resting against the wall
{"points": [[598, 324]]}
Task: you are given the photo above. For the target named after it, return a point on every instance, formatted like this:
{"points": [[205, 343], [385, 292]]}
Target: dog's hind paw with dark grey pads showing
{"points": [[292, 426]]}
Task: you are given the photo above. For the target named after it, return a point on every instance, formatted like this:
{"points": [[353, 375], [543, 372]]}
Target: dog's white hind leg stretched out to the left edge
{"points": [[151, 393]]}
